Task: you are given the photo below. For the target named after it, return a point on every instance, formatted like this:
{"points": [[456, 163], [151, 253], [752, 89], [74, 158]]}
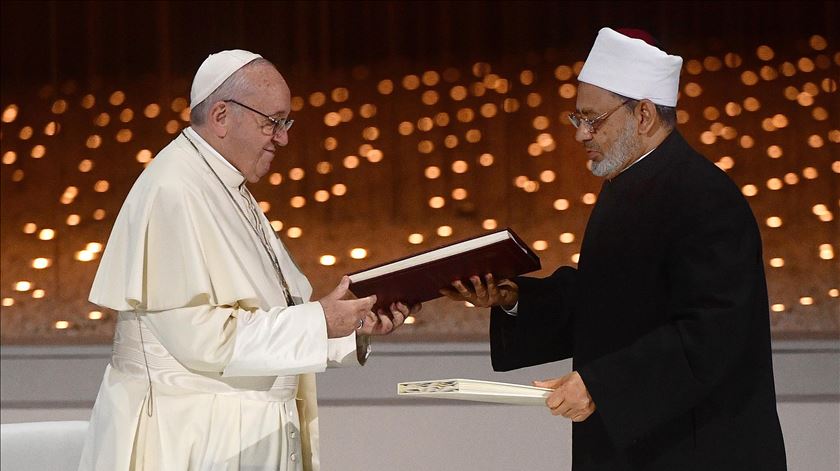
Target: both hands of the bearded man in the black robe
{"points": [[570, 397]]}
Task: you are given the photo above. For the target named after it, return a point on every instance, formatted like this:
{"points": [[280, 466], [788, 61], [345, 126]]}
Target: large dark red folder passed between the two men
{"points": [[419, 278]]}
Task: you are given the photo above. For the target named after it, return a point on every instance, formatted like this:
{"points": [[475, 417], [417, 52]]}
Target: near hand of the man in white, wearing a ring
{"points": [[343, 312]]}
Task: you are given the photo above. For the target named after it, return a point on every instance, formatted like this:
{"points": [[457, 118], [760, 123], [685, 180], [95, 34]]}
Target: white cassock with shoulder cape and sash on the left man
{"points": [[211, 369]]}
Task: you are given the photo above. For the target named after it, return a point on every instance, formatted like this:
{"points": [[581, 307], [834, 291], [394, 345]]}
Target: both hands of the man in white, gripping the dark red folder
{"points": [[344, 313]]}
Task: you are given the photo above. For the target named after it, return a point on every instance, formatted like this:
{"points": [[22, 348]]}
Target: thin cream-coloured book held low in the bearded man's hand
{"points": [[475, 390]]}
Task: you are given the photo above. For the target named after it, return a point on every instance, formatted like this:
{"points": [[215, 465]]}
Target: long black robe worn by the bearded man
{"points": [[667, 321]]}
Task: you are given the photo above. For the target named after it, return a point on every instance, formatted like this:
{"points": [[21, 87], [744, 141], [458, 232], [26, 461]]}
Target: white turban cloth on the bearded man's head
{"points": [[632, 68]]}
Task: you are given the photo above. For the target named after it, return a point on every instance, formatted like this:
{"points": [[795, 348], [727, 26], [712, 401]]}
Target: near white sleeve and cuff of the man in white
{"points": [[240, 342]]}
